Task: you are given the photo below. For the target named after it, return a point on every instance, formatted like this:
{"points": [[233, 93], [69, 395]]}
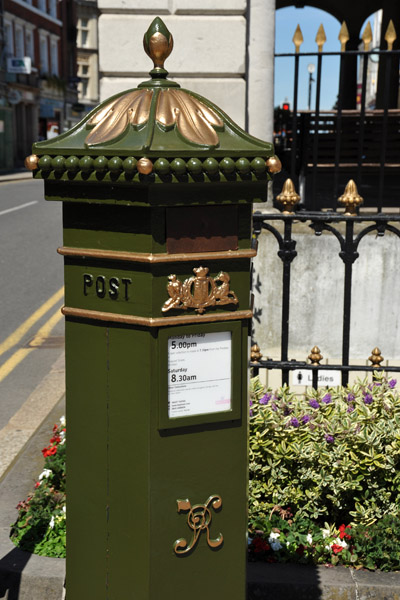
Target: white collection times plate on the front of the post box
{"points": [[199, 374]]}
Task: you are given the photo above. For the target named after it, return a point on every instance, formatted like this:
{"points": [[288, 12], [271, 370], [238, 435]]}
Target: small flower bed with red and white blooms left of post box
{"points": [[41, 524]]}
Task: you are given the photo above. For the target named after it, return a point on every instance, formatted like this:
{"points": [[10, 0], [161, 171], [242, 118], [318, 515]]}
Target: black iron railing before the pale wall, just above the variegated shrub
{"points": [[355, 229]]}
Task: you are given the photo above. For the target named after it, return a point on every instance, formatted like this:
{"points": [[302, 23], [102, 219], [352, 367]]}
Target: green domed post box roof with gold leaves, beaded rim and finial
{"points": [[157, 132]]}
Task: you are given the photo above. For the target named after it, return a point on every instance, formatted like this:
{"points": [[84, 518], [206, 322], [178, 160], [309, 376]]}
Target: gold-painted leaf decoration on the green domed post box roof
{"points": [[194, 120]]}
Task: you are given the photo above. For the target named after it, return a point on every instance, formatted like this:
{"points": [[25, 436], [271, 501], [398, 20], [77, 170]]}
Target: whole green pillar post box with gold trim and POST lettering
{"points": [[157, 186]]}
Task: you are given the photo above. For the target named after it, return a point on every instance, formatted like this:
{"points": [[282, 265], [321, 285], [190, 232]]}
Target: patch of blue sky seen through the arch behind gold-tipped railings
{"points": [[309, 20]]}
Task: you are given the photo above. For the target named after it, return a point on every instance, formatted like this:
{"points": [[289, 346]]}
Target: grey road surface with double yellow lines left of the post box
{"points": [[31, 292]]}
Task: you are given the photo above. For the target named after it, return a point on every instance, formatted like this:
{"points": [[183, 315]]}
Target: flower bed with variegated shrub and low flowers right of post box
{"points": [[324, 475]]}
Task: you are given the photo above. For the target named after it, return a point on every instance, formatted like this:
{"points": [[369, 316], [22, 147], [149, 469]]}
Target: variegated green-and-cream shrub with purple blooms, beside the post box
{"points": [[329, 454]]}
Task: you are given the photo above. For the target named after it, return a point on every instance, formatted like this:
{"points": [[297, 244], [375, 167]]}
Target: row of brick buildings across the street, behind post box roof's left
{"points": [[35, 103]]}
